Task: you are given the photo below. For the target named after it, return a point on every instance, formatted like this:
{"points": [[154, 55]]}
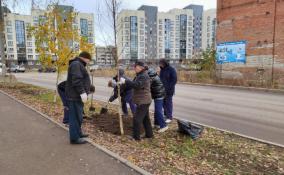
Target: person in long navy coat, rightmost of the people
{"points": [[168, 76]]}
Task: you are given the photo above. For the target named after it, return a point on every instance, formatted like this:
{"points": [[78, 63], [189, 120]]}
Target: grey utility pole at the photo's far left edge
{"points": [[2, 39]]}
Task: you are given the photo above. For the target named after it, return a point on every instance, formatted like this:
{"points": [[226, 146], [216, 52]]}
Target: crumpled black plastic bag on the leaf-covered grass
{"points": [[188, 128]]}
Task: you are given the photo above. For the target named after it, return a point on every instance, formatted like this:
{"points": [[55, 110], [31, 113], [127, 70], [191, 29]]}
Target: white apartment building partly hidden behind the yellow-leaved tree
{"points": [[21, 49]]}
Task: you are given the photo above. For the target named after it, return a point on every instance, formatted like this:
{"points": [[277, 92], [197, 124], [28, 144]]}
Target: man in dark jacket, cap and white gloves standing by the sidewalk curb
{"points": [[77, 90]]}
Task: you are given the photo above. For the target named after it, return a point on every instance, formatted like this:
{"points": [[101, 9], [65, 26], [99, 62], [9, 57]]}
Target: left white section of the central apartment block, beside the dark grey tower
{"points": [[131, 35]]}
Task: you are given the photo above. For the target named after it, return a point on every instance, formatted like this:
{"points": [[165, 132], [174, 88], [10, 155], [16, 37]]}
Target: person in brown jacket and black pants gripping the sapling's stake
{"points": [[142, 99]]}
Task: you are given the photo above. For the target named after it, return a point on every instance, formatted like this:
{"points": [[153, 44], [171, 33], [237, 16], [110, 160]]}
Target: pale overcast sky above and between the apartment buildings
{"points": [[91, 6]]}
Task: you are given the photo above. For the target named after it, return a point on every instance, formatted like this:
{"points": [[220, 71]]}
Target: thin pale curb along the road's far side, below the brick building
{"points": [[277, 91]]}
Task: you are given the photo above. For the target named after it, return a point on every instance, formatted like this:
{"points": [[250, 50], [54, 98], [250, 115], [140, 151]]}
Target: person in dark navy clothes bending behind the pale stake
{"points": [[125, 93]]}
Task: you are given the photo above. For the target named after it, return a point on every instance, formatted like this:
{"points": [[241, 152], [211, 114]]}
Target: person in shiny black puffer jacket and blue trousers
{"points": [[158, 94]]}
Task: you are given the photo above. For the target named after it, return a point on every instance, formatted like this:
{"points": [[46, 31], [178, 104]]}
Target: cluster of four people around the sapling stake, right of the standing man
{"points": [[148, 85]]}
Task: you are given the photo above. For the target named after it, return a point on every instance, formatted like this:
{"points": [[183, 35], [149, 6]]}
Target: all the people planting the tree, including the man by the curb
{"points": [[138, 93]]}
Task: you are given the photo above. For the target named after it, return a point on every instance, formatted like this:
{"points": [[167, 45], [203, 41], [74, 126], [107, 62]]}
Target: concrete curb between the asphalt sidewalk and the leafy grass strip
{"points": [[101, 148]]}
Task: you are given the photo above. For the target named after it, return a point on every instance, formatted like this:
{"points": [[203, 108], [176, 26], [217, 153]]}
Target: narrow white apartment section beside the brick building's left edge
{"points": [[209, 26]]}
